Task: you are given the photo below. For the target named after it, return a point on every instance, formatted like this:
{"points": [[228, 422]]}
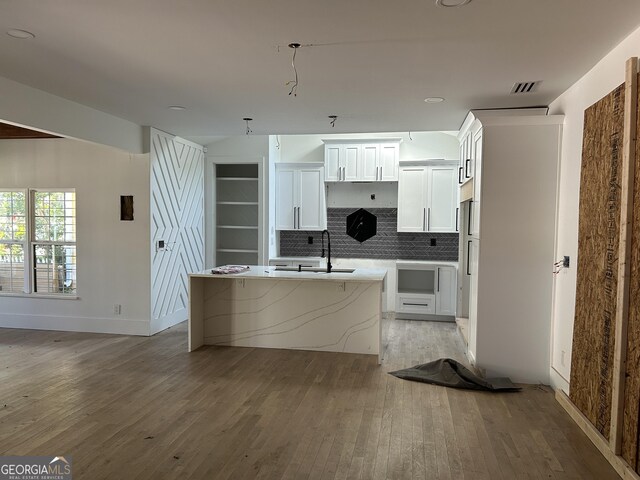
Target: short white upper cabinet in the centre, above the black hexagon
{"points": [[368, 161]]}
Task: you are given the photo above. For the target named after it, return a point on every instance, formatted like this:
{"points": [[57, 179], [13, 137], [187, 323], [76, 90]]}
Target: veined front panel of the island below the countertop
{"points": [[295, 314]]}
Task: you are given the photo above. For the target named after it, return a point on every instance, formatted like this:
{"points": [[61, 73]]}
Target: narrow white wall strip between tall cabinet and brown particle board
{"points": [[604, 77]]}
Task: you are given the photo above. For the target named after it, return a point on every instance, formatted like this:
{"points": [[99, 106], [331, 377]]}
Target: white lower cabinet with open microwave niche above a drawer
{"points": [[425, 288]]}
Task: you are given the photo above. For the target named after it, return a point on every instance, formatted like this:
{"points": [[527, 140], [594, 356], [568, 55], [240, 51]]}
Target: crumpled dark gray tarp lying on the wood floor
{"points": [[449, 373]]}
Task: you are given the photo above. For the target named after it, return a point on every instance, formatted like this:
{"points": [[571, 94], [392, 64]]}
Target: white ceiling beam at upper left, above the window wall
{"points": [[42, 111]]}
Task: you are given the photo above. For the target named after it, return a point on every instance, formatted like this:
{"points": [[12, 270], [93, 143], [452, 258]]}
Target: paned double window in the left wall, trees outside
{"points": [[43, 223]]}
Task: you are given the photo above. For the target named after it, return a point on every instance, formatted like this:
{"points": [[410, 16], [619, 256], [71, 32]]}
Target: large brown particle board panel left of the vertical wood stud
{"points": [[598, 241]]}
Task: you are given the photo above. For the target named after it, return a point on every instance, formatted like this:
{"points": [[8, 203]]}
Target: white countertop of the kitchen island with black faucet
{"points": [[267, 272]]}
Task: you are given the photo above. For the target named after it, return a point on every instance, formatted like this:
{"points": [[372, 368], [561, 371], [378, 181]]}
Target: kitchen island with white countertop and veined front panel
{"points": [[273, 308]]}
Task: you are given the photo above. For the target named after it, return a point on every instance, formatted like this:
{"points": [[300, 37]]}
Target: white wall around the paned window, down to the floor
{"points": [[113, 256]]}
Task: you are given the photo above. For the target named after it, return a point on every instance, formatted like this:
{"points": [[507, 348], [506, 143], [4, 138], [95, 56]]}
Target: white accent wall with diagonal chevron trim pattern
{"points": [[177, 218]]}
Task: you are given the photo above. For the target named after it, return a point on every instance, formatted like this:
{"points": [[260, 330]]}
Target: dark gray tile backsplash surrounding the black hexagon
{"points": [[386, 244]]}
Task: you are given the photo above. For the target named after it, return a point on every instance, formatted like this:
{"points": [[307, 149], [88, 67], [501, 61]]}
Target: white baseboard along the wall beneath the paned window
{"points": [[75, 324]]}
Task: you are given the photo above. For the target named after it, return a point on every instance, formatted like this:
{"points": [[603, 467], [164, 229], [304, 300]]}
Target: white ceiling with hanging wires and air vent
{"points": [[372, 65]]}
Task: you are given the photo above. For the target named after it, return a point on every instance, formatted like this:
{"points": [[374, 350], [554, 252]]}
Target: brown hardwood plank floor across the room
{"points": [[144, 408]]}
